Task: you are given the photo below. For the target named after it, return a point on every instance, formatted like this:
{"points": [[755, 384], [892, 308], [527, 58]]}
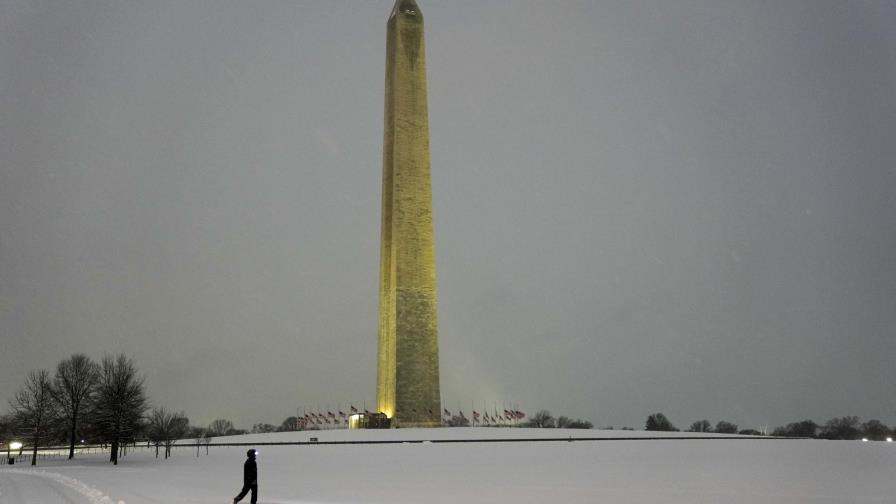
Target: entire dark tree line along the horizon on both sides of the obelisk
{"points": [[105, 403]]}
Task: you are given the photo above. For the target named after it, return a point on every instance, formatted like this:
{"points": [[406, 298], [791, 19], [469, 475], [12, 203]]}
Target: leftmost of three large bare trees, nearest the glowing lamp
{"points": [[34, 409]]}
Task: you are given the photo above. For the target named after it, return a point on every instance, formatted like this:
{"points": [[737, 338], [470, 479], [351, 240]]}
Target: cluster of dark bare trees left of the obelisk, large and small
{"points": [[99, 403]]}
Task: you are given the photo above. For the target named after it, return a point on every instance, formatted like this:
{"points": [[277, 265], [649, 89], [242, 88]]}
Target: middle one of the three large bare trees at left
{"points": [[73, 385]]}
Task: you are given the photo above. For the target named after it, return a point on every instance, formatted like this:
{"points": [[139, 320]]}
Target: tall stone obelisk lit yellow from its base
{"points": [[407, 387]]}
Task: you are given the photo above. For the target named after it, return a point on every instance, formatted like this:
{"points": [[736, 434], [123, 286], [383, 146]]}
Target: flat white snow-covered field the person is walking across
{"points": [[718, 471]]}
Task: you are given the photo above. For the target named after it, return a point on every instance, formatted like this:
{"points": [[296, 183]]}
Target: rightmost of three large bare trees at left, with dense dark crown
{"points": [[120, 401]]}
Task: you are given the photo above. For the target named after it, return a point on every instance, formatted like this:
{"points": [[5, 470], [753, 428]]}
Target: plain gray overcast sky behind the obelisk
{"points": [[640, 206]]}
